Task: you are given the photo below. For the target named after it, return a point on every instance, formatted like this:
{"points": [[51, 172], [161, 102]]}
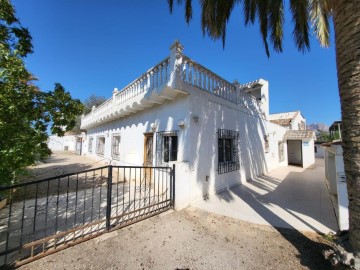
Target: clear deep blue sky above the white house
{"points": [[92, 46]]}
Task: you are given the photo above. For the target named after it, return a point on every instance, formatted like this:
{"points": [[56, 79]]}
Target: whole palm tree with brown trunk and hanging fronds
{"points": [[308, 15]]}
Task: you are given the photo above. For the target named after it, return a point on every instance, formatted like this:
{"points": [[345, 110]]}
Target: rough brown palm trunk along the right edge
{"points": [[347, 41]]}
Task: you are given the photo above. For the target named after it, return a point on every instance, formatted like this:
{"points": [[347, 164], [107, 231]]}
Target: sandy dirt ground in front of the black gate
{"points": [[192, 239]]}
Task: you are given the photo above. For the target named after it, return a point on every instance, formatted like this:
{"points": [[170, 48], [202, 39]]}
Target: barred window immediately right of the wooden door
{"points": [[166, 146]]}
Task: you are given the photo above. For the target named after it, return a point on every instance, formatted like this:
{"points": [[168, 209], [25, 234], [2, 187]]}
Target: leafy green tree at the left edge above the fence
{"points": [[26, 112]]}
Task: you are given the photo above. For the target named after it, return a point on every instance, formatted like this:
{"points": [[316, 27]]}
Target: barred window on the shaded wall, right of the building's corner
{"points": [[228, 159]]}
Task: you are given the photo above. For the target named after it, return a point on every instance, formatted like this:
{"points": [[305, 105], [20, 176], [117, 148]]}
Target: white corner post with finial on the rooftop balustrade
{"points": [[175, 62]]}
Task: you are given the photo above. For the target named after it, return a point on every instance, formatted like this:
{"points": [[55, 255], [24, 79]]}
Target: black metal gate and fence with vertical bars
{"points": [[45, 216]]}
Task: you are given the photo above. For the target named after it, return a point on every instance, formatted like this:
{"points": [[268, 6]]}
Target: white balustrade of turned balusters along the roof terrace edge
{"points": [[190, 72]]}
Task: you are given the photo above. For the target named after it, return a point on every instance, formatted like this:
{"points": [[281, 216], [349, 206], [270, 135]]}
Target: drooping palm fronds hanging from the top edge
{"points": [[306, 14]]}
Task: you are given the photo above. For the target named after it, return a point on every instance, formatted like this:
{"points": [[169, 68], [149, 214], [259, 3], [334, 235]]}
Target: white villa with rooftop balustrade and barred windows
{"points": [[217, 133]]}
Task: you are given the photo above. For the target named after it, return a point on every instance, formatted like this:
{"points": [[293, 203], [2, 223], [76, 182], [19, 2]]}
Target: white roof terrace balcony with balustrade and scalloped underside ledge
{"points": [[165, 81]]}
